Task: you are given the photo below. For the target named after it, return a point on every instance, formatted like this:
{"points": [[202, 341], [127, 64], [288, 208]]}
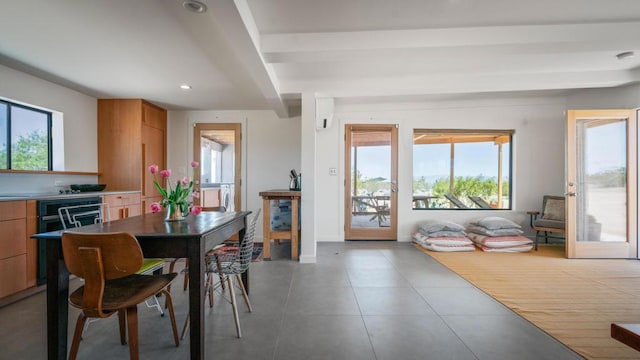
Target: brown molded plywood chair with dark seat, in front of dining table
{"points": [[108, 263]]}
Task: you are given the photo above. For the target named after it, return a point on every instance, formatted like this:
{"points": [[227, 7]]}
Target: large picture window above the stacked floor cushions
{"points": [[462, 169]]}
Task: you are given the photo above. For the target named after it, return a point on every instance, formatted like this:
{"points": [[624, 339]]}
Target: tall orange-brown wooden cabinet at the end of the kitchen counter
{"points": [[132, 134]]}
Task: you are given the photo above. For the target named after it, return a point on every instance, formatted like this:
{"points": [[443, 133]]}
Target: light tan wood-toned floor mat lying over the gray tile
{"points": [[573, 300]]}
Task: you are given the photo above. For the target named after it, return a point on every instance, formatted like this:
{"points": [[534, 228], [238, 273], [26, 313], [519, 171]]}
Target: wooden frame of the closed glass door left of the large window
{"points": [[387, 233]]}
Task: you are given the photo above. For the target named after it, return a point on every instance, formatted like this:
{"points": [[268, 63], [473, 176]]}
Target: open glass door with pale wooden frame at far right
{"points": [[601, 187]]}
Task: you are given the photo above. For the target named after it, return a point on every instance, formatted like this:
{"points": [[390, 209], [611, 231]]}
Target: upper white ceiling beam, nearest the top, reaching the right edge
{"points": [[450, 37]]}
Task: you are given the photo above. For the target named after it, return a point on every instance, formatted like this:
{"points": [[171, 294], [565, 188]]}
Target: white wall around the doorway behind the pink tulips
{"points": [[270, 148]]}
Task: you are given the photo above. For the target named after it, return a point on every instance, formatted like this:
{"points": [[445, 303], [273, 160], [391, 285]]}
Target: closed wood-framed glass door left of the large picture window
{"points": [[371, 182]]}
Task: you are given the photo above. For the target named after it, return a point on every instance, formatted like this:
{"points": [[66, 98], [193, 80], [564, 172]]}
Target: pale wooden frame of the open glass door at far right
{"points": [[582, 249]]}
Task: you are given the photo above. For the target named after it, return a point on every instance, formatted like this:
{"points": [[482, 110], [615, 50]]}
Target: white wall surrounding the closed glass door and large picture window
{"points": [[538, 162]]}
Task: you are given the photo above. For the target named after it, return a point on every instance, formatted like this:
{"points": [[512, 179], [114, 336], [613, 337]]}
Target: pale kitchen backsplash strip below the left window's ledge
{"points": [[11, 183]]}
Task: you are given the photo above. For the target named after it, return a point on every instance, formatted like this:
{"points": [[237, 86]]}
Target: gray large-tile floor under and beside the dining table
{"points": [[361, 300]]}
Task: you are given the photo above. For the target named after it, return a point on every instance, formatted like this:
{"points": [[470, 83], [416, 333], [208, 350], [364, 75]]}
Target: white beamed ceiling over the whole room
{"points": [[262, 54]]}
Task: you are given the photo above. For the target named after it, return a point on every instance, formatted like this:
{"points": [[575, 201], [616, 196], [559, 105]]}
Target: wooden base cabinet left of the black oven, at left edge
{"points": [[13, 247]]}
